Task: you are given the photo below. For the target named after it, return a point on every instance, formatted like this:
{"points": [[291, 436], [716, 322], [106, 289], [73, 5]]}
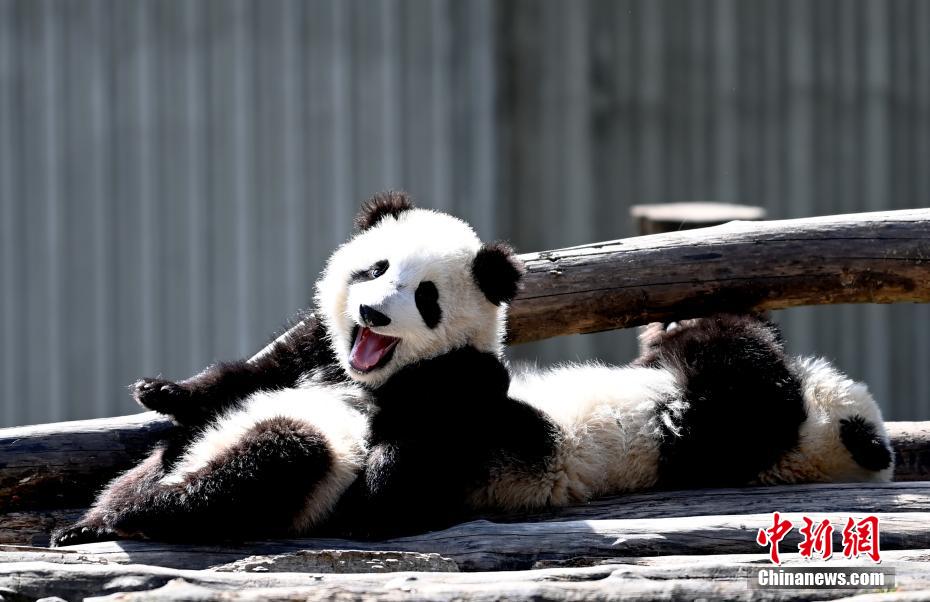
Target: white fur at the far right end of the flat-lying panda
{"points": [[829, 397]]}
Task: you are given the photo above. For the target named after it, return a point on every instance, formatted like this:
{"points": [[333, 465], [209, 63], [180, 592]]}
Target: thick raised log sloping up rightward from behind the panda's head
{"points": [[881, 257]]}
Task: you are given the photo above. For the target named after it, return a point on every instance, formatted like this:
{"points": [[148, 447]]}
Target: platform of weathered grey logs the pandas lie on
{"points": [[668, 545]]}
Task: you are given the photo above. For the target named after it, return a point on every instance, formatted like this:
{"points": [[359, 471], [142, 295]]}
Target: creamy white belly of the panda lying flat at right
{"points": [[607, 437]]}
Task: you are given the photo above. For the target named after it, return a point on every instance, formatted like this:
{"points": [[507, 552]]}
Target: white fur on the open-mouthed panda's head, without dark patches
{"points": [[419, 245]]}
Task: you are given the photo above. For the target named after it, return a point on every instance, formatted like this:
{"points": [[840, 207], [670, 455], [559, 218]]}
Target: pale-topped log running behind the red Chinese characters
{"points": [[488, 546]]}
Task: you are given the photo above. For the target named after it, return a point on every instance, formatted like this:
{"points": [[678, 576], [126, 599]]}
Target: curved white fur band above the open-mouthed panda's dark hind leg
{"points": [[335, 411]]}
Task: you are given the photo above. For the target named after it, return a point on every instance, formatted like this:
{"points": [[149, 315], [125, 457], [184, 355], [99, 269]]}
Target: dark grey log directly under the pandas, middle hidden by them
{"points": [[33, 528]]}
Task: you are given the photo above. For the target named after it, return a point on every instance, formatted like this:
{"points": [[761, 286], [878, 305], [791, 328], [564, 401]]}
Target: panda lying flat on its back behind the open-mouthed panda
{"points": [[680, 418]]}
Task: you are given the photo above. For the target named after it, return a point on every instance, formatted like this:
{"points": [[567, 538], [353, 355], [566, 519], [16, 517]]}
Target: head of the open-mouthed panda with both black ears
{"points": [[412, 284]]}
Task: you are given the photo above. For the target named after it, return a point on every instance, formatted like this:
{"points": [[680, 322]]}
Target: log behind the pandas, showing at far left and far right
{"points": [[62, 465]]}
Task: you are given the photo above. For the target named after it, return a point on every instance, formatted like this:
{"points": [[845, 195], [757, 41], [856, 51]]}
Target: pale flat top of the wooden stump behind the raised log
{"points": [[674, 217]]}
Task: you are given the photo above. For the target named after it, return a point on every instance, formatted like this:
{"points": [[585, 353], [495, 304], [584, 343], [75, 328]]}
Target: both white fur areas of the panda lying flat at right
{"points": [[611, 433]]}
